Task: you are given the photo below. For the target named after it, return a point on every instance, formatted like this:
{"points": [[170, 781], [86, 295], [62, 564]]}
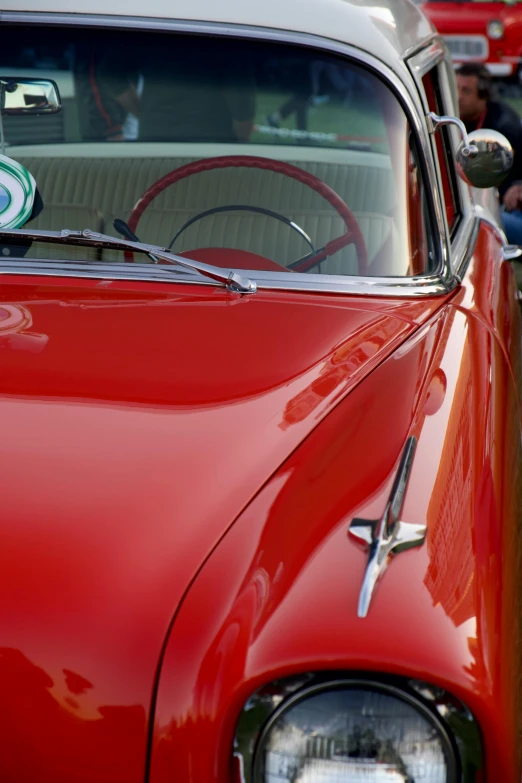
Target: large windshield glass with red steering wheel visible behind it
{"points": [[238, 153]]}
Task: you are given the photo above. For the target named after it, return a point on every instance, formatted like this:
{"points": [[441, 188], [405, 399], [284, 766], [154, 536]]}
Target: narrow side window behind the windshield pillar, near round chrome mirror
{"points": [[444, 151]]}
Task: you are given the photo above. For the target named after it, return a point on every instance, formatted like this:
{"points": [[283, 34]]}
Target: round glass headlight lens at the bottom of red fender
{"points": [[351, 731]]}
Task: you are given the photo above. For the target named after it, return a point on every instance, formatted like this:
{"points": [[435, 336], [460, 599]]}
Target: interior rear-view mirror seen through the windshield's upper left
{"points": [[28, 96]]}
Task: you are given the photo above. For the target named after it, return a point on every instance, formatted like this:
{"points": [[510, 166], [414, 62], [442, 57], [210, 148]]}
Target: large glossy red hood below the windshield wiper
{"points": [[136, 425]]}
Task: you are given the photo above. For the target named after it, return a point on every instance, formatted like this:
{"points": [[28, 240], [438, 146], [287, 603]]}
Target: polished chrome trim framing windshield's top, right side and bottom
{"points": [[432, 285]]}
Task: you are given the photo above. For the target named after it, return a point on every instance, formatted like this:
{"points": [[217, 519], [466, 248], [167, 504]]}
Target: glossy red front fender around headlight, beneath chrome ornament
{"points": [[279, 595]]}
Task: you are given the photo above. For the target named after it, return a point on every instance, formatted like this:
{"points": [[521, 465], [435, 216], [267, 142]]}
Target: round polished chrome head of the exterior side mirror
{"points": [[489, 165]]}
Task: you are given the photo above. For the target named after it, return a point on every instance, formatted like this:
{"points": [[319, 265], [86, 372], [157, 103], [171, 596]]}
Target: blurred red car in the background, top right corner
{"points": [[484, 32]]}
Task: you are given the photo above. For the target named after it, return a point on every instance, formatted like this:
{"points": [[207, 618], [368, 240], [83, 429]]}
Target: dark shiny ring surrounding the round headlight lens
{"points": [[269, 701]]}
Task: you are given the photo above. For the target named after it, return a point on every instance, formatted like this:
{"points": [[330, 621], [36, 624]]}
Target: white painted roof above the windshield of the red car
{"points": [[386, 28]]}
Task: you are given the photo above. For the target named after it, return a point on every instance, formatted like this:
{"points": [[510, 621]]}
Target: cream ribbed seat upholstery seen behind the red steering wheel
{"points": [[113, 185]]}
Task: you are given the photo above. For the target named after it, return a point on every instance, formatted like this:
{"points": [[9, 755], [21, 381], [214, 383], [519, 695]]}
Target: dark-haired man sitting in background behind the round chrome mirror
{"points": [[479, 109]]}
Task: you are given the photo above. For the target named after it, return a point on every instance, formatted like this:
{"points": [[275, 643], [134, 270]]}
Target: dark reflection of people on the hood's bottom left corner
{"points": [[55, 738]]}
